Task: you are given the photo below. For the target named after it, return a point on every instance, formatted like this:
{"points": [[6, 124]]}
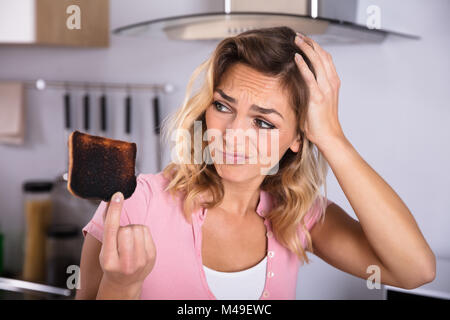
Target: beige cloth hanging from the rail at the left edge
{"points": [[12, 113]]}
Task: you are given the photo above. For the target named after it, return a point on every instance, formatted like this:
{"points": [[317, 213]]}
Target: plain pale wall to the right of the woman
{"points": [[394, 108]]}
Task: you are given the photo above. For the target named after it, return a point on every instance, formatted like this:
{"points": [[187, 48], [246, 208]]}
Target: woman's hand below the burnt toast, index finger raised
{"points": [[127, 254]]}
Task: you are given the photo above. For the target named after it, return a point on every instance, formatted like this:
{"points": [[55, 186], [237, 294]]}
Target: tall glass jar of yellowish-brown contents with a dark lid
{"points": [[38, 210]]}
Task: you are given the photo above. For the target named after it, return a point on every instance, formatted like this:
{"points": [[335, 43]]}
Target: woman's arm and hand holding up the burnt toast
{"points": [[116, 267]]}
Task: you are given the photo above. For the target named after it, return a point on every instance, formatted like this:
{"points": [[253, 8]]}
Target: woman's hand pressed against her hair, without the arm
{"points": [[322, 123]]}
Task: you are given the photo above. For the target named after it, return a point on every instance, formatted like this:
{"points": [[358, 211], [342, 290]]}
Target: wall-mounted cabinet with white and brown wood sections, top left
{"points": [[82, 23]]}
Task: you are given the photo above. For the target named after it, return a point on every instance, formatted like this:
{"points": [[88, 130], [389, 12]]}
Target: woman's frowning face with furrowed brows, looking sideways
{"points": [[251, 117]]}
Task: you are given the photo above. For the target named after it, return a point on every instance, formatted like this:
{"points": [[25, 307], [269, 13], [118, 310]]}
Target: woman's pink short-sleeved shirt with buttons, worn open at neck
{"points": [[178, 272]]}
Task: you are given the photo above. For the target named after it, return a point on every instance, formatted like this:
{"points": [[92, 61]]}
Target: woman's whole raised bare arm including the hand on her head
{"points": [[386, 234]]}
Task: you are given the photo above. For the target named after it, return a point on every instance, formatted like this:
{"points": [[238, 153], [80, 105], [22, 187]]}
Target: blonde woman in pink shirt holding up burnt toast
{"points": [[215, 229]]}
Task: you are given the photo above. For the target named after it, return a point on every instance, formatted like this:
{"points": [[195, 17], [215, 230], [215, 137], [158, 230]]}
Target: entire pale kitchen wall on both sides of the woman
{"points": [[393, 108]]}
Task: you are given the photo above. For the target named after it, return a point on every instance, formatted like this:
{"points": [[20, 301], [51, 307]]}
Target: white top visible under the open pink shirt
{"points": [[247, 284]]}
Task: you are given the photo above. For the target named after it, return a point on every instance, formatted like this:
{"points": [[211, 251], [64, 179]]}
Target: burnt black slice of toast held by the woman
{"points": [[101, 167]]}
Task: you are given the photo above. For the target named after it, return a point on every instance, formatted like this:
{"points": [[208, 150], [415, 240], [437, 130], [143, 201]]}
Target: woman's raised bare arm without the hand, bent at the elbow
{"points": [[387, 234]]}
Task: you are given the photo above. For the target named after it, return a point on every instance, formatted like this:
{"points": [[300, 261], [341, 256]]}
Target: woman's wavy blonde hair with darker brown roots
{"points": [[296, 186]]}
